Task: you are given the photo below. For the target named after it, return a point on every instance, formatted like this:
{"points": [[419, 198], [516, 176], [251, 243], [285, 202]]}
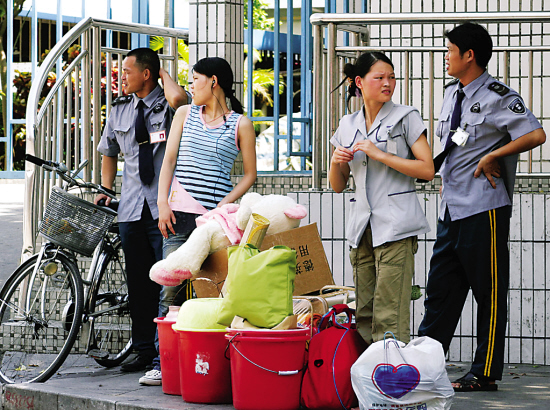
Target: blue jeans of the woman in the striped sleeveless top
{"points": [[175, 295]]}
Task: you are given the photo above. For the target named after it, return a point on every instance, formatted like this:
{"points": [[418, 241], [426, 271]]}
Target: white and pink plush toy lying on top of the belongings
{"points": [[222, 227]]}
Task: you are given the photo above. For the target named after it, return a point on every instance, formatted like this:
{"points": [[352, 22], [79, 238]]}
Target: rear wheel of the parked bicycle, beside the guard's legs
{"points": [[110, 312]]}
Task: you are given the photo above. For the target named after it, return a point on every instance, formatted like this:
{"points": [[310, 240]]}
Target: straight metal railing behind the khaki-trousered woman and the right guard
{"points": [[415, 43]]}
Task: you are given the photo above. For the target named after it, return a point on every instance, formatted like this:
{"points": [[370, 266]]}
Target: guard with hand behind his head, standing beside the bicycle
{"points": [[138, 127]]}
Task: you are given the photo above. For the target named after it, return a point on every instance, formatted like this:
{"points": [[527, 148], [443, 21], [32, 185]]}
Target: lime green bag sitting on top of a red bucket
{"points": [[259, 285]]}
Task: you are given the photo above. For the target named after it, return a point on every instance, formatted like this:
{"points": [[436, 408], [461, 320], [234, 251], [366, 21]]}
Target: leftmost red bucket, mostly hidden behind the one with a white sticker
{"points": [[169, 356]]}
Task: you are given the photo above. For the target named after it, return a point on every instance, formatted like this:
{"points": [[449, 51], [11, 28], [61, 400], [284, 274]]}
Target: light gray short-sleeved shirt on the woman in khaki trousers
{"points": [[383, 196]]}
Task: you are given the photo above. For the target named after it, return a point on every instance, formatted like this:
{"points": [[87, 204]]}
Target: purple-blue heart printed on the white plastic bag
{"points": [[395, 382]]}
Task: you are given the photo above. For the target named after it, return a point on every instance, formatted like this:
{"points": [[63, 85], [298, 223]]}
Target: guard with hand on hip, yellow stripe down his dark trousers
{"points": [[483, 127]]}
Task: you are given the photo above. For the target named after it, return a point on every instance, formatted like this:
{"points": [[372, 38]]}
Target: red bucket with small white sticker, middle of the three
{"points": [[205, 372]]}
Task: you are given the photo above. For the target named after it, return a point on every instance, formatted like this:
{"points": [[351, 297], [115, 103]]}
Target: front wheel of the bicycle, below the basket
{"points": [[40, 316]]}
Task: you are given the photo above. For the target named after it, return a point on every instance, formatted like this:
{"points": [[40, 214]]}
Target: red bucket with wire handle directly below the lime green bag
{"points": [[267, 367]]}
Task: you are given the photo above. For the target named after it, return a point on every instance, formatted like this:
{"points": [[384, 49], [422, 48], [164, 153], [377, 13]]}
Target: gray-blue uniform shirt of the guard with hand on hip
{"points": [[492, 115]]}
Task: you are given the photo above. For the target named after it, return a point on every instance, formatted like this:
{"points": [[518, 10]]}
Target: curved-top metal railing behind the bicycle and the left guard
{"points": [[66, 125]]}
